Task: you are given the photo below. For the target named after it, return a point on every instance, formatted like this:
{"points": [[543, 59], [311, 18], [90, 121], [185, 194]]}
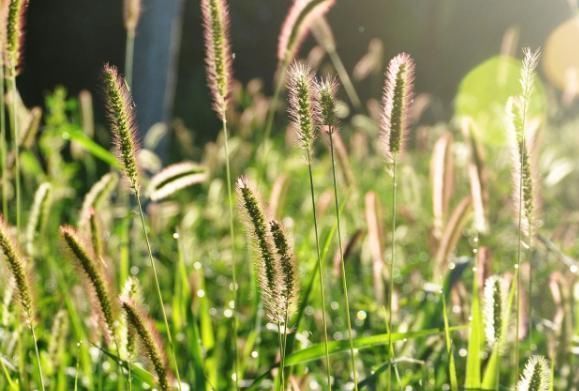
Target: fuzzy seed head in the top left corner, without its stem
{"points": [[16, 20]]}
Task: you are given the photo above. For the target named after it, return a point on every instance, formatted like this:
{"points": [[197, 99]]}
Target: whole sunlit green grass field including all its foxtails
{"points": [[318, 243]]}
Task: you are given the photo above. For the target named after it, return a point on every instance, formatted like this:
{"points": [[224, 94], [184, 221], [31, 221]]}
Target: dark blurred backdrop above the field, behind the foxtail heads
{"points": [[68, 41]]}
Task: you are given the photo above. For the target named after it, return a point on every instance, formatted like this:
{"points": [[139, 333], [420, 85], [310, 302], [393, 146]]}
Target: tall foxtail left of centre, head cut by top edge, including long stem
{"points": [[218, 62]]}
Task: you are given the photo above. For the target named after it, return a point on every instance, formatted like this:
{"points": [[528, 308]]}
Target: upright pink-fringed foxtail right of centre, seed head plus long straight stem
{"points": [[397, 97]]}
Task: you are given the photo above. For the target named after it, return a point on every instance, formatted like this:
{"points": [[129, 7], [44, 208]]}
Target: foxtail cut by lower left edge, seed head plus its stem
{"points": [[21, 277]]}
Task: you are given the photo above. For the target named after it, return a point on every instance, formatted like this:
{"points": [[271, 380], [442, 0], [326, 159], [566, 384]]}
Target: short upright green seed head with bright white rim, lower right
{"points": [[495, 310]]}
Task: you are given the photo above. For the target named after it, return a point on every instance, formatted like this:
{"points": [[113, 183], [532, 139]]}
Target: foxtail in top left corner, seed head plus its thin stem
{"points": [[13, 57]]}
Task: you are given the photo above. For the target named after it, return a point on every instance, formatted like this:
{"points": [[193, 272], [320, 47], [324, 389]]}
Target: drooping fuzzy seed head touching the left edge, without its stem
{"points": [[17, 267]]}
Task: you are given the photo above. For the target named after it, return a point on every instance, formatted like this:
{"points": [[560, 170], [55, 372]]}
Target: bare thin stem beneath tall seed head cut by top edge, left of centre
{"points": [[232, 238]]}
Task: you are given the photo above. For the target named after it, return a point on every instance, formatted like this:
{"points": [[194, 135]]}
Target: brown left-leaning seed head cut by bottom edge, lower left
{"points": [[151, 346]]}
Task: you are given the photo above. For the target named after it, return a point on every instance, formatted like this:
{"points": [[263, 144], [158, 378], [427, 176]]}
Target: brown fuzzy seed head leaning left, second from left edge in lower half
{"points": [[95, 278]]}
